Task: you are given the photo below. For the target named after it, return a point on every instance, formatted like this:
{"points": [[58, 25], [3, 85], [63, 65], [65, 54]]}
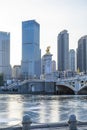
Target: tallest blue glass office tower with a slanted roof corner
{"points": [[31, 53]]}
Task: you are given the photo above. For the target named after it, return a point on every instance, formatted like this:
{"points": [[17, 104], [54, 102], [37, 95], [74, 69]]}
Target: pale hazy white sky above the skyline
{"points": [[53, 17]]}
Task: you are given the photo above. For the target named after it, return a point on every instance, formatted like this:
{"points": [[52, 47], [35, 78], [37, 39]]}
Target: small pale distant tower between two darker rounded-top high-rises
{"points": [[72, 60]]}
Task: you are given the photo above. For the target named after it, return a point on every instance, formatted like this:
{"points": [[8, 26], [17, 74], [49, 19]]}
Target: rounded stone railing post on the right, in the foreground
{"points": [[72, 122]]}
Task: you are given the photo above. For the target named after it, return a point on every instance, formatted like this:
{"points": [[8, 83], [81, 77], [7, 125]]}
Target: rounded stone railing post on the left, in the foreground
{"points": [[26, 122]]}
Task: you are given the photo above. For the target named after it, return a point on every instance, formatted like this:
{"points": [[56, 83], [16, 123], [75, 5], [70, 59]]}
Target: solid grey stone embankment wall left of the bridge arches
{"points": [[31, 87]]}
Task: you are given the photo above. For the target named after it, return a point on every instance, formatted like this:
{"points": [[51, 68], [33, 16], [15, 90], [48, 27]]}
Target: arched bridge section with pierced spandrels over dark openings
{"points": [[73, 85]]}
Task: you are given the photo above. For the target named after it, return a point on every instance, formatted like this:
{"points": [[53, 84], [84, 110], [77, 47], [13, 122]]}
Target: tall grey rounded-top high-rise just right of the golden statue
{"points": [[63, 51]]}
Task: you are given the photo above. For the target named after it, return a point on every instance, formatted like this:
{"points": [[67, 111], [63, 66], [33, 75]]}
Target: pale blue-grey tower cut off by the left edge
{"points": [[5, 68]]}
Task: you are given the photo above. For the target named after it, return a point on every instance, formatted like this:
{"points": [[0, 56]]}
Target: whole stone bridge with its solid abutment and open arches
{"points": [[72, 85]]}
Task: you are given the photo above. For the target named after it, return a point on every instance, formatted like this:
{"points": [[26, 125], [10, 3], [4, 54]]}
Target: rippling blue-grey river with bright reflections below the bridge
{"points": [[41, 108]]}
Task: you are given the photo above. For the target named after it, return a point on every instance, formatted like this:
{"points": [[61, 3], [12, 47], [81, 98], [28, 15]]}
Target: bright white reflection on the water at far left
{"points": [[14, 110]]}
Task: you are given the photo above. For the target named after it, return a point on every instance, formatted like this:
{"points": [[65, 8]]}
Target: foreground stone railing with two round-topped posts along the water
{"points": [[26, 124]]}
